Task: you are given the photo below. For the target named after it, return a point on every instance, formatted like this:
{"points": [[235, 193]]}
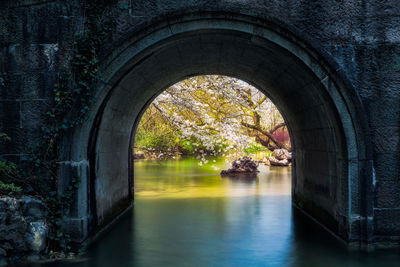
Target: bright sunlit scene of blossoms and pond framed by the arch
{"points": [[189, 135]]}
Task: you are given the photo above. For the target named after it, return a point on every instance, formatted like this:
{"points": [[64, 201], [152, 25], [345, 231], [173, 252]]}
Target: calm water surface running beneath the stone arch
{"points": [[187, 215]]}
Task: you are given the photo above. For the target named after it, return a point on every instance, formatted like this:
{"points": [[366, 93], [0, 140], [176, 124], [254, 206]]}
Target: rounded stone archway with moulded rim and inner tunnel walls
{"points": [[324, 115]]}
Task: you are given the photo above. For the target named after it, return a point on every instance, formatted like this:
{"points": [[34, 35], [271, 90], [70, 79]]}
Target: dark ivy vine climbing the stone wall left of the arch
{"points": [[73, 92]]}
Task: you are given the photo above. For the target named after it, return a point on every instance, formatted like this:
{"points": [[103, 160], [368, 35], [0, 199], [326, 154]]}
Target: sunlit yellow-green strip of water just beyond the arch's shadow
{"points": [[186, 179]]}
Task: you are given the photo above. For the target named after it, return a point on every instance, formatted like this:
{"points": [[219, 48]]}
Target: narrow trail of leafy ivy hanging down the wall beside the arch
{"points": [[72, 97]]}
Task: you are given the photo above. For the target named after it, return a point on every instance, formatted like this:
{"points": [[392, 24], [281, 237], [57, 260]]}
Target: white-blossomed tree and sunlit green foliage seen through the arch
{"points": [[210, 114]]}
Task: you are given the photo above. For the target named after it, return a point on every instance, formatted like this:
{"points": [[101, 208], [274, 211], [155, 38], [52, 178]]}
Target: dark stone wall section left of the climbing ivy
{"points": [[35, 37]]}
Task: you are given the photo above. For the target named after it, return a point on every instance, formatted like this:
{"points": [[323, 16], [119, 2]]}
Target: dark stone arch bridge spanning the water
{"points": [[332, 67]]}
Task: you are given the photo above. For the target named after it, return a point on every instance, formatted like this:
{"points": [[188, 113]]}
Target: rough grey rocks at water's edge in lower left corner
{"points": [[23, 228]]}
